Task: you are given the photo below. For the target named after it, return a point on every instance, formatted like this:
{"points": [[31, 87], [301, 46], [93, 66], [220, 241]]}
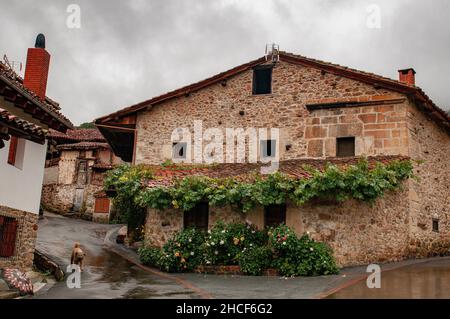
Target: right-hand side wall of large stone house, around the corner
{"points": [[430, 195]]}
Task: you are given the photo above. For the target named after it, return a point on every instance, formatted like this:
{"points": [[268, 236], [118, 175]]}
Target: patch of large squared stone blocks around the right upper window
{"points": [[378, 130]]}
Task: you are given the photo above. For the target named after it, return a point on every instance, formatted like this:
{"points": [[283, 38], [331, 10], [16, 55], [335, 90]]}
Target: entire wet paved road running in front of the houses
{"points": [[113, 271]]}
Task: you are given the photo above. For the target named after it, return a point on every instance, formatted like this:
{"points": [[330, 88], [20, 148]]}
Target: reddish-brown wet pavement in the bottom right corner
{"points": [[429, 279]]}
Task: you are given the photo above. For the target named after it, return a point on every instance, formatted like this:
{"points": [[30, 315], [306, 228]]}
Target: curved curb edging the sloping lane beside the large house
{"points": [[129, 257]]}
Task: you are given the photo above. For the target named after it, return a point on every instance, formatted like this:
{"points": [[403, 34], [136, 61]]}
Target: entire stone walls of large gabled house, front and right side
{"points": [[383, 122]]}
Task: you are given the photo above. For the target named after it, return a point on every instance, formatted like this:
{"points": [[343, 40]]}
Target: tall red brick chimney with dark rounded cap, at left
{"points": [[36, 70]]}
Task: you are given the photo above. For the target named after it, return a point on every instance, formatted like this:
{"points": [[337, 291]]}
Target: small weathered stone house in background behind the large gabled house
{"points": [[74, 172]]}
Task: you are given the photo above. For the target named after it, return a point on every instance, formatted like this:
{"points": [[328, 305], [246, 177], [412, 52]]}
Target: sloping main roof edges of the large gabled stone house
{"points": [[436, 113]]}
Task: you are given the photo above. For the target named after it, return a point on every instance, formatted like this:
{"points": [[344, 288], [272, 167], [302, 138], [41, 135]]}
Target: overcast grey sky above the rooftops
{"points": [[128, 51]]}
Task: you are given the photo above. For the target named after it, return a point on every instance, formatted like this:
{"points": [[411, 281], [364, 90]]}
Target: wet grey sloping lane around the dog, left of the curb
{"points": [[106, 275]]}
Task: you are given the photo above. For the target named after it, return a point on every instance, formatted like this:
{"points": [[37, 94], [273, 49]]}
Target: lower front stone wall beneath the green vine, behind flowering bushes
{"points": [[358, 232]]}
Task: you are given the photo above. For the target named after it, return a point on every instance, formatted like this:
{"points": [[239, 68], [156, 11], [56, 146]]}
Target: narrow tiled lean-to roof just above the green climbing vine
{"points": [[298, 168]]}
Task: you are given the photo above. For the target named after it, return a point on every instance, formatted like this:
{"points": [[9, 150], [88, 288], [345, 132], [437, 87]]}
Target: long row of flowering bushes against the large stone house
{"points": [[241, 244]]}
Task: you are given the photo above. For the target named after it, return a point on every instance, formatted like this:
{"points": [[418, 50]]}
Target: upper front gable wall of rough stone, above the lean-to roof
{"points": [[233, 106]]}
